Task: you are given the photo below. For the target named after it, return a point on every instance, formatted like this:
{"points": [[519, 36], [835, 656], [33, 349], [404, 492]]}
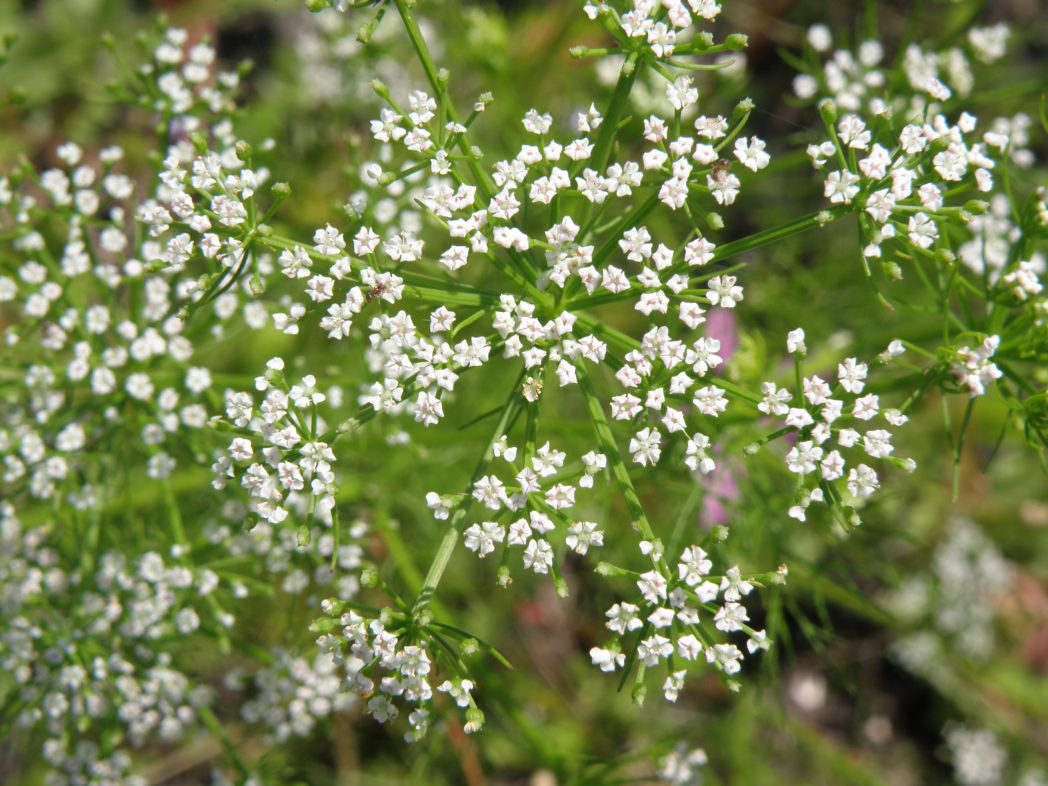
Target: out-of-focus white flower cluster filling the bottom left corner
{"points": [[103, 656]]}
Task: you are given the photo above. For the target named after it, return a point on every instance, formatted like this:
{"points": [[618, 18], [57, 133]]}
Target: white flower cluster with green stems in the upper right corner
{"points": [[900, 177]]}
